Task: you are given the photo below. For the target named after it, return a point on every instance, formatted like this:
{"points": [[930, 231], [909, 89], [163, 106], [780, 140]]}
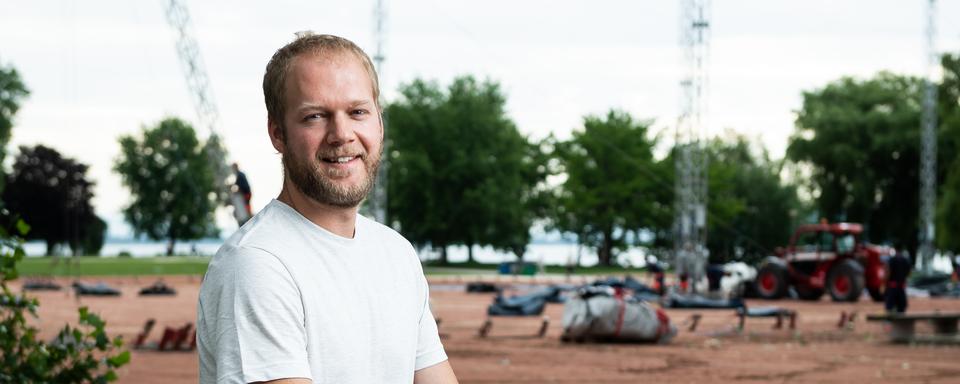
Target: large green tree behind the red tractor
{"points": [[861, 140]]}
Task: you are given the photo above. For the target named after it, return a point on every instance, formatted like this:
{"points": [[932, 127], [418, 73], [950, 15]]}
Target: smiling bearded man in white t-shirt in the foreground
{"points": [[309, 291]]}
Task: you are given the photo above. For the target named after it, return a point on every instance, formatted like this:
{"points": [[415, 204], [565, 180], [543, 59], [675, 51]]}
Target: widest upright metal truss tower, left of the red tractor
{"points": [[690, 221]]}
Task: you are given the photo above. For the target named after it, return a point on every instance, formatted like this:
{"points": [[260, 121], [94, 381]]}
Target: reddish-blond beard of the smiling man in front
{"points": [[319, 184]]}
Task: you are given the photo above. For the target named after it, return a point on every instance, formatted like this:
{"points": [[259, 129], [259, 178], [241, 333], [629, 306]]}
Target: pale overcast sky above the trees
{"points": [[101, 69]]}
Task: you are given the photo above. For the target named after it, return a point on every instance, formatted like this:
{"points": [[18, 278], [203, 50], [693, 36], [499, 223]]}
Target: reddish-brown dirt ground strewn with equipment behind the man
{"points": [[816, 352]]}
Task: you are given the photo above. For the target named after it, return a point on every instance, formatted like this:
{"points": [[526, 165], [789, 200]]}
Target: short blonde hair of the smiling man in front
{"points": [[274, 80]]}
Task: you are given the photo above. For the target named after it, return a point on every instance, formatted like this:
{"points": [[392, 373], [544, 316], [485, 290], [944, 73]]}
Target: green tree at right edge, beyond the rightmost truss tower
{"points": [[948, 203]]}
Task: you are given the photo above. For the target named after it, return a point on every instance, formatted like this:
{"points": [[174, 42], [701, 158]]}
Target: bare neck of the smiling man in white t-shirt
{"points": [[340, 221]]}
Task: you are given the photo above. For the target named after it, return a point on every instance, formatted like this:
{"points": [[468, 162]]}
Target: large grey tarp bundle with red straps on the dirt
{"points": [[601, 313]]}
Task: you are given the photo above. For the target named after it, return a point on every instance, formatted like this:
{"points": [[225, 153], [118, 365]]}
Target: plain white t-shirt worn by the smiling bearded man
{"points": [[285, 298]]}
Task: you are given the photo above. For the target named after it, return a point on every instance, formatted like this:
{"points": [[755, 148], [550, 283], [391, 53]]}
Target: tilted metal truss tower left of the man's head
{"points": [[199, 85]]}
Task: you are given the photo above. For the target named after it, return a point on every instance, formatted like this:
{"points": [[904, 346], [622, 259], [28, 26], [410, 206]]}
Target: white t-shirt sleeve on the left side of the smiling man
{"points": [[250, 324]]}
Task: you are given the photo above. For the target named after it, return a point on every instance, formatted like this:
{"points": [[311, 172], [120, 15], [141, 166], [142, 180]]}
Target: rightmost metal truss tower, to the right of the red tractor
{"points": [[928, 143]]}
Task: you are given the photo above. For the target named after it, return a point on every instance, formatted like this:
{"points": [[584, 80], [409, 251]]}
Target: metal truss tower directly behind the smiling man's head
{"points": [[378, 201]]}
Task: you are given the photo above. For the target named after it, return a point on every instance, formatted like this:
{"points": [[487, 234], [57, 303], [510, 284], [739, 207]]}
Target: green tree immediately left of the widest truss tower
{"points": [[614, 186]]}
